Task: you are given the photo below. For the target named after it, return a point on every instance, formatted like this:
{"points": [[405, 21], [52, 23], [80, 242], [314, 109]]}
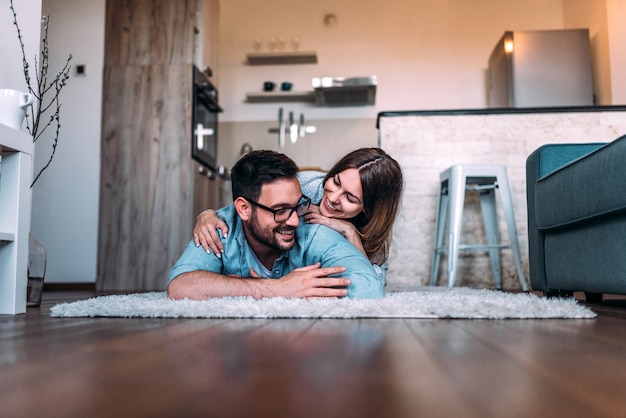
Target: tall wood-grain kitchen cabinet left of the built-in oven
{"points": [[149, 186]]}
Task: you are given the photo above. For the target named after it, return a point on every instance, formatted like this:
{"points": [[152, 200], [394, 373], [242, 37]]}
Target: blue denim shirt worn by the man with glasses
{"points": [[314, 243]]}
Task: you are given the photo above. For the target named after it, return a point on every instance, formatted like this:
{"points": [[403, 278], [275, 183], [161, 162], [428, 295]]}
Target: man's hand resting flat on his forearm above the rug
{"points": [[308, 282]]}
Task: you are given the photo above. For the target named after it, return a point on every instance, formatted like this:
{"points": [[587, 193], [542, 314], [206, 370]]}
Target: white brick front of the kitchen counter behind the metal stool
{"points": [[425, 145]]}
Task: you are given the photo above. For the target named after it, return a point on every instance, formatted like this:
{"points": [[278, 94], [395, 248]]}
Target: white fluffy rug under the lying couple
{"points": [[420, 302]]}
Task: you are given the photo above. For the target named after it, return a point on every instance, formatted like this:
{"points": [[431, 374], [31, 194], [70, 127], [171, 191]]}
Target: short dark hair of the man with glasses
{"points": [[257, 168]]}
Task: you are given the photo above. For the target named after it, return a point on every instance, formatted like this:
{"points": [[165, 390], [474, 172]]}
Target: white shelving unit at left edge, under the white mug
{"points": [[16, 173]]}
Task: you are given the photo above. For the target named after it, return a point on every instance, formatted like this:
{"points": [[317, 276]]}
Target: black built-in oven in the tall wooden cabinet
{"points": [[205, 109]]}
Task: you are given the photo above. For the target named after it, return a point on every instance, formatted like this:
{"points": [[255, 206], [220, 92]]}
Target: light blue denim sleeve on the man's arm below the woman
{"points": [[332, 249]]}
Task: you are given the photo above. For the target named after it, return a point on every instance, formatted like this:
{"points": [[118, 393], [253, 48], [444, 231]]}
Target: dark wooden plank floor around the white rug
{"points": [[102, 367]]}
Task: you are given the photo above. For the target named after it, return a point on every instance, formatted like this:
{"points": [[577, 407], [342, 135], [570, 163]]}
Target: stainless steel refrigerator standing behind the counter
{"points": [[541, 69]]}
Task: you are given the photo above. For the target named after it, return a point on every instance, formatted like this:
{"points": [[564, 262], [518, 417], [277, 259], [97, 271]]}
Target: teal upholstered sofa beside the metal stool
{"points": [[576, 195]]}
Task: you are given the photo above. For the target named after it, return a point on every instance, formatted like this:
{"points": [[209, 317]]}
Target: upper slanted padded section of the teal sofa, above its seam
{"points": [[591, 186]]}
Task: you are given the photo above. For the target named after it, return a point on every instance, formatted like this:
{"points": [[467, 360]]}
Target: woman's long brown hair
{"points": [[382, 183]]}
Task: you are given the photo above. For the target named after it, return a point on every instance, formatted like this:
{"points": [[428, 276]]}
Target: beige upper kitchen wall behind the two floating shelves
{"points": [[427, 54]]}
